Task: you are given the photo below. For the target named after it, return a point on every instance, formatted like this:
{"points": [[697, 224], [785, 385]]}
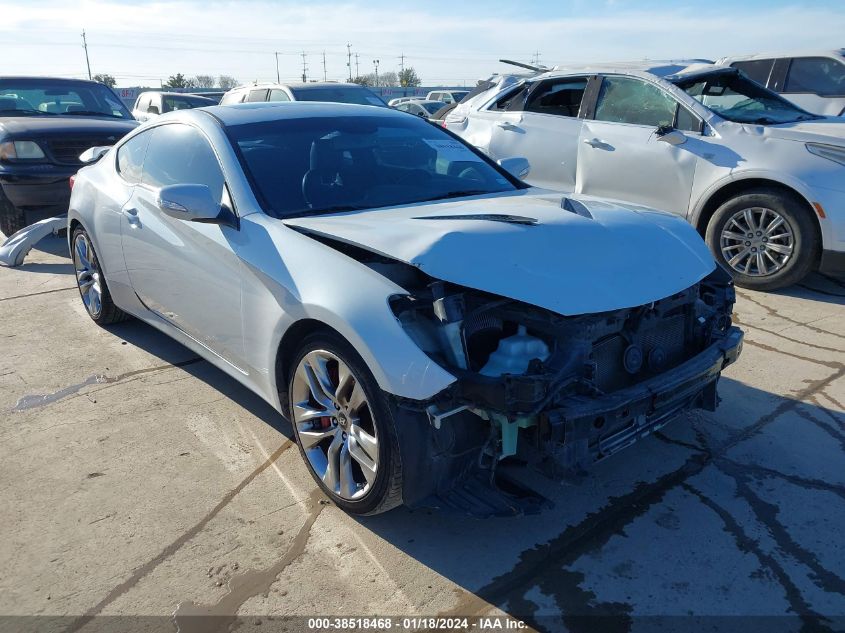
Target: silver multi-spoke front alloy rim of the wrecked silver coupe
{"points": [[334, 424]]}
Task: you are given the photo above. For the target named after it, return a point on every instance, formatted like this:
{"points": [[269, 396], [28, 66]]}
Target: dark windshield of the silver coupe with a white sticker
{"points": [[308, 166]]}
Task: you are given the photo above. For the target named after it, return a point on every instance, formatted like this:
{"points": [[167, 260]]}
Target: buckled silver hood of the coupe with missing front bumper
{"points": [[572, 257]]}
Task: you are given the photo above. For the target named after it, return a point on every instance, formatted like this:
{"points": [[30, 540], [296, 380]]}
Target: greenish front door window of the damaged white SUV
{"points": [[626, 100]]}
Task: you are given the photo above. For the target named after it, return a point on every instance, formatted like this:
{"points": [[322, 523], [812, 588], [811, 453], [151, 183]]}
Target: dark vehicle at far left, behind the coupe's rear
{"points": [[45, 124]]}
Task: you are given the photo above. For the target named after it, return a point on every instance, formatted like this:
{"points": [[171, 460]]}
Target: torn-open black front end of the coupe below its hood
{"points": [[558, 392]]}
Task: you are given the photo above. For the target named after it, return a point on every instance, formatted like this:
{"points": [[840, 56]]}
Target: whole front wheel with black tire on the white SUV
{"points": [[748, 254]]}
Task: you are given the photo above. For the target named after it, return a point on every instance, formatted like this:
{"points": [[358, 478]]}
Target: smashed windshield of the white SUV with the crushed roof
{"points": [[734, 97]]}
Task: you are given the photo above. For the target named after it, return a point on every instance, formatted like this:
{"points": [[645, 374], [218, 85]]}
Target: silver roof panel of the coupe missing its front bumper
{"points": [[244, 113]]}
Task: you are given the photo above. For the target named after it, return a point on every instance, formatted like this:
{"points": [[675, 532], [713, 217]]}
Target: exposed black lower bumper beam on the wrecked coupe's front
{"points": [[587, 429]]}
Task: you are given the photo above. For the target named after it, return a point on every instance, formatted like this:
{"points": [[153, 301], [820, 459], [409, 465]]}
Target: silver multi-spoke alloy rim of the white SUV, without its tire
{"points": [[757, 242]]}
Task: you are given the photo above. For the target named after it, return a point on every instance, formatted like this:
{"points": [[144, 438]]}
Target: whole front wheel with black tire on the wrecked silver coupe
{"points": [[342, 426]]}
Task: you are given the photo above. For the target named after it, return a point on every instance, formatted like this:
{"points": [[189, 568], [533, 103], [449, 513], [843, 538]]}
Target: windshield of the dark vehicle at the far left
{"points": [[50, 97]]}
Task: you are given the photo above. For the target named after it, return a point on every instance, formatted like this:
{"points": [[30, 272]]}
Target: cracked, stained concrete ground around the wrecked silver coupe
{"points": [[135, 479]]}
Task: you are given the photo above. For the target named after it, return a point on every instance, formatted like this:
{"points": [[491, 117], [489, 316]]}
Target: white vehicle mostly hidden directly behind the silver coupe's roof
{"points": [[315, 91]]}
